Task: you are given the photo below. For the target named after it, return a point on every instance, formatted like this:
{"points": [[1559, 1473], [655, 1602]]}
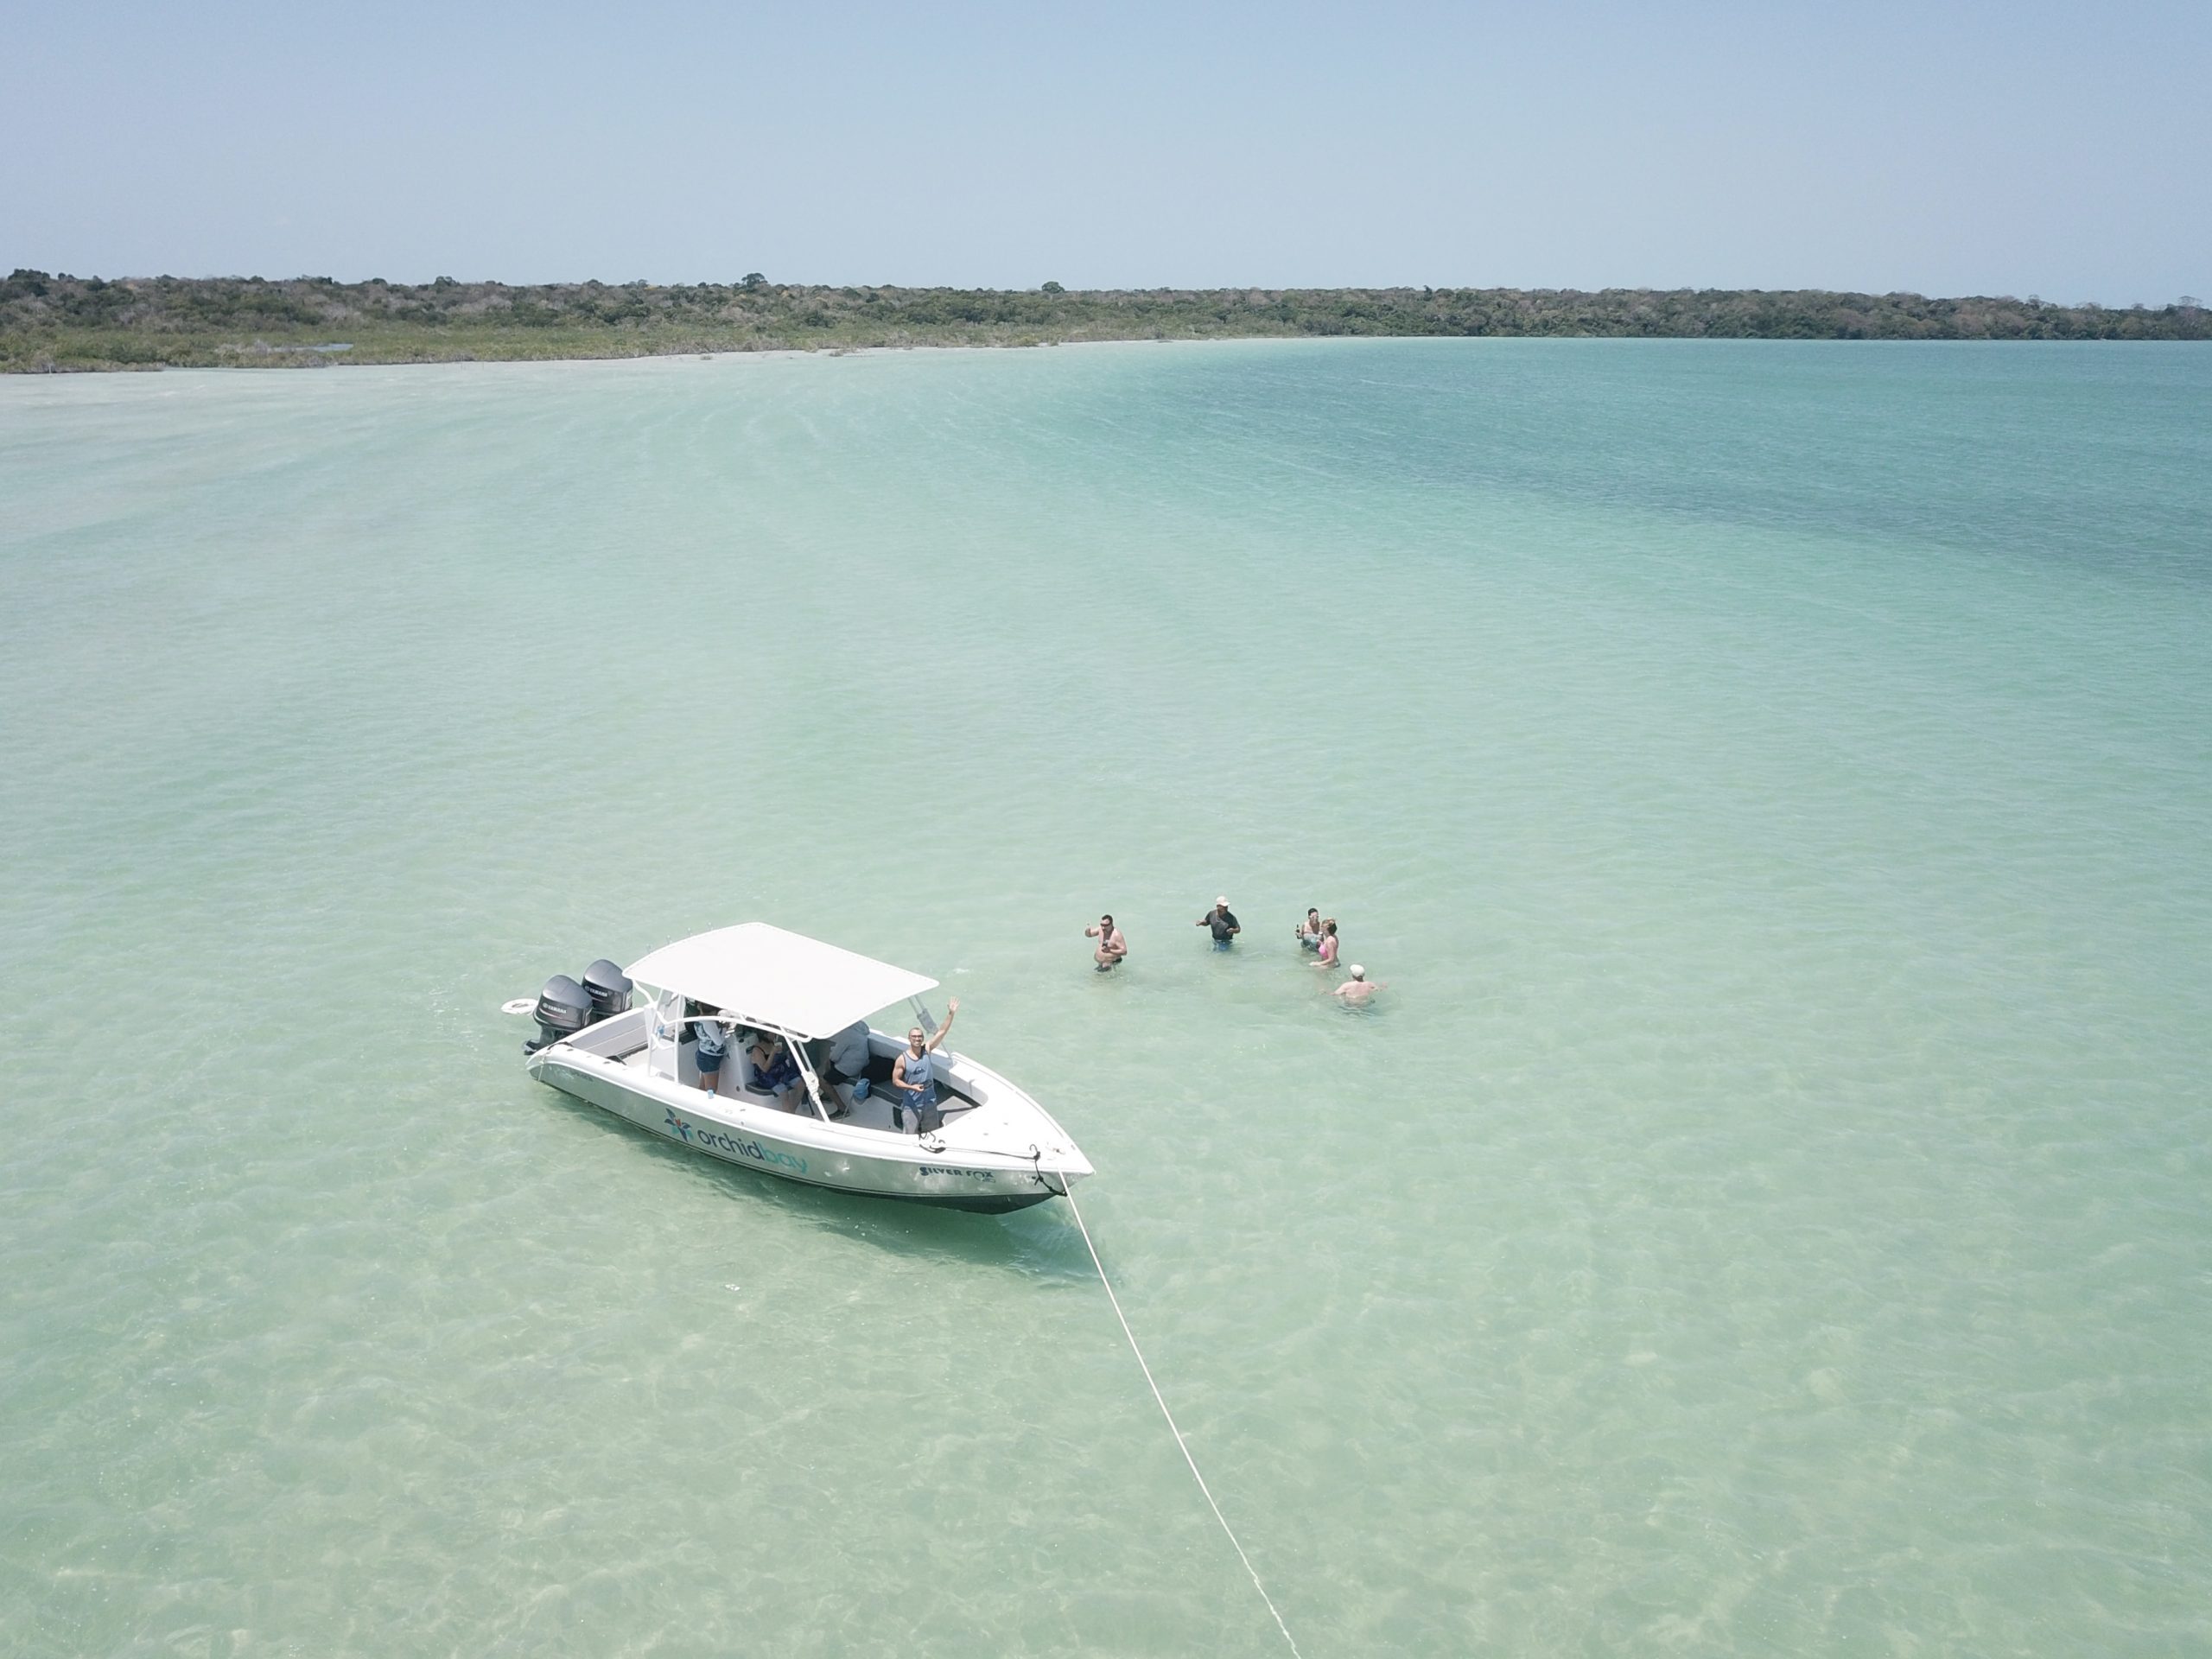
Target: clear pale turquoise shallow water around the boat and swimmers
{"points": [[1768, 1211]]}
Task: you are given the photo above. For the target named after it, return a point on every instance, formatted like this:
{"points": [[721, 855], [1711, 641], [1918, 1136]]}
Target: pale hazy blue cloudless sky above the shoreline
{"points": [[1957, 149]]}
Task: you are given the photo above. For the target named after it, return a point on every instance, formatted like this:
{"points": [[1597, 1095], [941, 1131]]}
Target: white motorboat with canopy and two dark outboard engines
{"points": [[985, 1147]]}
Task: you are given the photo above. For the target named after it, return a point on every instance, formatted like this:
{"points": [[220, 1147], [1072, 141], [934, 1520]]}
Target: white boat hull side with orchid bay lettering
{"points": [[802, 1149]]}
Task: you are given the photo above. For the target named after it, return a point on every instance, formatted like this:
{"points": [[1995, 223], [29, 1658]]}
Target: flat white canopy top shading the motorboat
{"points": [[775, 979]]}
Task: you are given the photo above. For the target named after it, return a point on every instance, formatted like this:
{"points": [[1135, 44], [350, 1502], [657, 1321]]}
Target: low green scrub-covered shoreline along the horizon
{"points": [[85, 324]]}
